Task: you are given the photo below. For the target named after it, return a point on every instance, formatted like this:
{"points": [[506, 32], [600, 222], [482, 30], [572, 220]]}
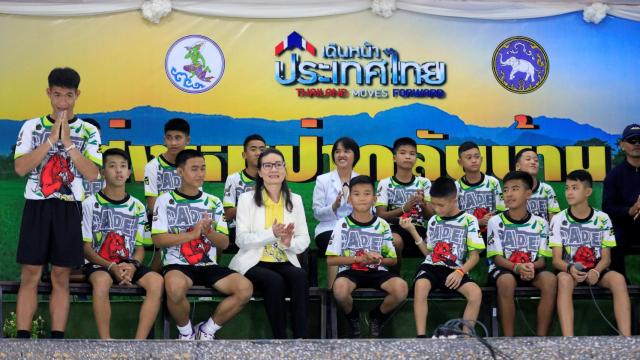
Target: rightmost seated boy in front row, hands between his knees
{"points": [[581, 240]]}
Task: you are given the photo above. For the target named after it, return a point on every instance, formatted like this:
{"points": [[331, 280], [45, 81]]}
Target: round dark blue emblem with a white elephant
{"points": [[520, 64]]}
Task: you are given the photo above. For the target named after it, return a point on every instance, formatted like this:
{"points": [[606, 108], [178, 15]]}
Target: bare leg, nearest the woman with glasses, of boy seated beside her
{"points": [[238, 290]]}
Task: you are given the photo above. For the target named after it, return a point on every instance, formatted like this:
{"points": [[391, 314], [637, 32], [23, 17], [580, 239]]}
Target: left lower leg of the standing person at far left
{"points": [[27, 301]]}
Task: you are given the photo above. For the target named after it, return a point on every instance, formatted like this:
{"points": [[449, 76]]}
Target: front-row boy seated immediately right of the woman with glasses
{"points": [[361, 245]]}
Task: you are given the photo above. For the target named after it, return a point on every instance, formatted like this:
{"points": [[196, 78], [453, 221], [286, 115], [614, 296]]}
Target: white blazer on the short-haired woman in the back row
{"points": [[327, 188]]}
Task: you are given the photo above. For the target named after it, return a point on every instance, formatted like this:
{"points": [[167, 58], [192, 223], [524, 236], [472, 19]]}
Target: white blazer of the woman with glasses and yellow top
{"points": [[251, 236]]}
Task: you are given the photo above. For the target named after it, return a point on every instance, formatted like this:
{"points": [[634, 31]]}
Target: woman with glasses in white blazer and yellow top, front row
{"points": [[271, 230]]}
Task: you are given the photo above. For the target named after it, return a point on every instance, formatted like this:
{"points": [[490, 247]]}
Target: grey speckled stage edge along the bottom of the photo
{"points": [[530, 348]]}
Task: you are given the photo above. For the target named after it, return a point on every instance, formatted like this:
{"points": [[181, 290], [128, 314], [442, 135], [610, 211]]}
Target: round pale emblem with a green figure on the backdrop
{"points": [[194, 64]]}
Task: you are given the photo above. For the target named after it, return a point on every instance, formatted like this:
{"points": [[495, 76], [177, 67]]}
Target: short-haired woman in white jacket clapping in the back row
{"points": [[330, 195]]}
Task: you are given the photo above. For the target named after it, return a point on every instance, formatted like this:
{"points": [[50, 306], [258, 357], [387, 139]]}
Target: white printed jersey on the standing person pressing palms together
{"points": [[57, 176]]}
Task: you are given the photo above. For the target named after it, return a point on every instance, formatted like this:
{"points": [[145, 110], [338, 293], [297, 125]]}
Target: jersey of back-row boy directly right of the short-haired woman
{"points": [[393, 194]]}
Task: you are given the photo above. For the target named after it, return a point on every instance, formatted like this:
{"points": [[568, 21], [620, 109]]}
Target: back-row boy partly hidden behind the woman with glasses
{"points": [[240, 182]]}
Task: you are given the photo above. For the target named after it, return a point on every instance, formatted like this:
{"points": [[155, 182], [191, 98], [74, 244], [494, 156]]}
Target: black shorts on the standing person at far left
{"points": [[51, 232]]}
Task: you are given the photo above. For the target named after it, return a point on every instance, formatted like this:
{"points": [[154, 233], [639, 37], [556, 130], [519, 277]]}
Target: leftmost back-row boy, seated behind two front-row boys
{"points": [[160, 174]]}
